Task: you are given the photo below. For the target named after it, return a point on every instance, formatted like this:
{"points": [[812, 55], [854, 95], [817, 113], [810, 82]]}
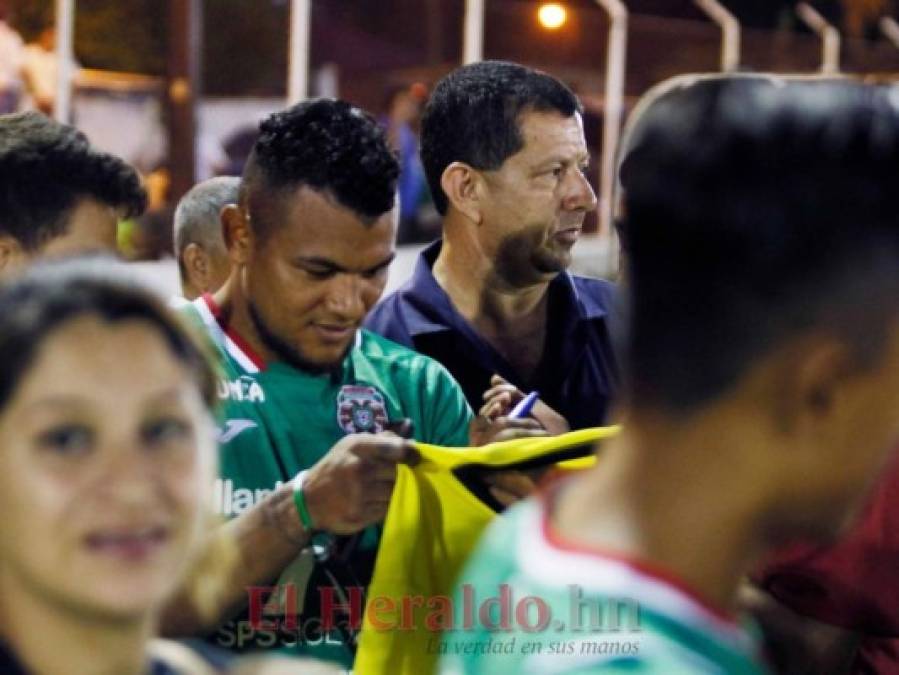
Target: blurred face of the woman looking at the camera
{"points": [[105, 462]]}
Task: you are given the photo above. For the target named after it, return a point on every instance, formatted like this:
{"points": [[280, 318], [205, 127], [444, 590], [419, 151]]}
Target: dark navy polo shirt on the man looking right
{"points": [[577, 375]]}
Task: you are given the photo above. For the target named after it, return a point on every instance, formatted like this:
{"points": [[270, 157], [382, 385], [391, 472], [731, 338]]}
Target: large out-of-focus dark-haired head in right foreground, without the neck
{"points": [[762, 237]]}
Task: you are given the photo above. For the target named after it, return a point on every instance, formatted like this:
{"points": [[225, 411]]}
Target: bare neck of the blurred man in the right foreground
{"points": [[671, 498]]}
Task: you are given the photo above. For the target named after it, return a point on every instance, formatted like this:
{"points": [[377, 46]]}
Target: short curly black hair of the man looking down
{"points": [[330, 146]]}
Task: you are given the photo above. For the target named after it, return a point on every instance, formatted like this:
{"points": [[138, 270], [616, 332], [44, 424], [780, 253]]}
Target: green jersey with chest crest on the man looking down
{"points": [[277, 421]]}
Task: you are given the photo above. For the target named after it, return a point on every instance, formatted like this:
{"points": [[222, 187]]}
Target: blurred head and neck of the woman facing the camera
{"points": [[106, 465]]}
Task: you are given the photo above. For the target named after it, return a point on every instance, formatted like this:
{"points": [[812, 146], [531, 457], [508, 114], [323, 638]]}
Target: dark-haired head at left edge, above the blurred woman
{"points": [[59, 195]]}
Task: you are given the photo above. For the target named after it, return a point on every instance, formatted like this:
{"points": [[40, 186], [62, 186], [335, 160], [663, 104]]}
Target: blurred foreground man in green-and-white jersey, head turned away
{"points": [[762, 383]]}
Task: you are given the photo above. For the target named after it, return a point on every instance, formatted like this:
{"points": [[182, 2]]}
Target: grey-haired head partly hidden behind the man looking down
{"points": [[199, 246]]}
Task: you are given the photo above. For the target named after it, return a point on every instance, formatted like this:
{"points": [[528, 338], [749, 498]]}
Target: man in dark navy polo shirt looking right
{"points": [[504, 152]]}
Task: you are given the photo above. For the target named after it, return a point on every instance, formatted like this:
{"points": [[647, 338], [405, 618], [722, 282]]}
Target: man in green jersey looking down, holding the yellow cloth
{"points": [[306, 469]]}
